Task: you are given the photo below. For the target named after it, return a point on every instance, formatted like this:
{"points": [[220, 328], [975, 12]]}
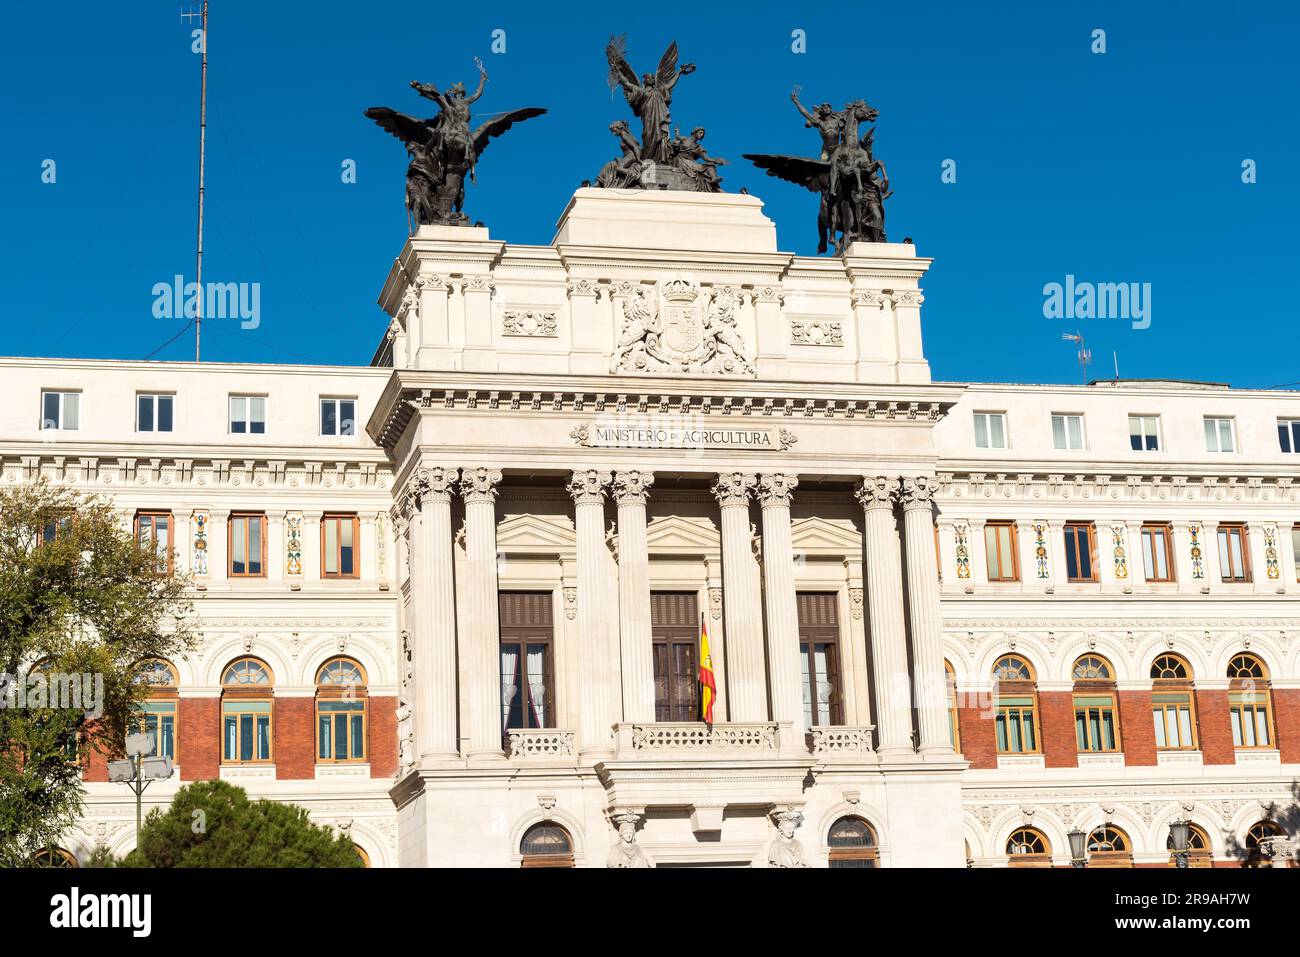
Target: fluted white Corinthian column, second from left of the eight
{"points": [[480, 646]]}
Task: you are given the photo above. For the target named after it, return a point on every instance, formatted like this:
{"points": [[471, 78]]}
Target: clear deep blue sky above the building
{"points": [[1124, 167]]}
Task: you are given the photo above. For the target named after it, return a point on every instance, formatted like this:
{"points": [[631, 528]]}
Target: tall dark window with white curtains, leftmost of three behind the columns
{"points": [[527, 656]]}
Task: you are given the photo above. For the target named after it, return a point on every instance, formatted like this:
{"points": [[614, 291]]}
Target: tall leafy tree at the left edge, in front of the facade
{"points": [[79, 597]]}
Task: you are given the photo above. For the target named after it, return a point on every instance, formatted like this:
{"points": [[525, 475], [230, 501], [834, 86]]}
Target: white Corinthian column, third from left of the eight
{"points": [[599, 700]]}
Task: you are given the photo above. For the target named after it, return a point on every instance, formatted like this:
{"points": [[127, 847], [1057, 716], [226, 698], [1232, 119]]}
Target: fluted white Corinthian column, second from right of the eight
{"points": [[885, 616]]}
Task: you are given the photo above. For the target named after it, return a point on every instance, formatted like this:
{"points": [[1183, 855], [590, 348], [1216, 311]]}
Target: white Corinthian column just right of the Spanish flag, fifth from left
{"points": [[743, 603]]}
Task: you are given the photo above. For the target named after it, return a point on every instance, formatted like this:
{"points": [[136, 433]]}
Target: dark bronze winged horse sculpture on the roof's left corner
{"points": [[444, 149]]}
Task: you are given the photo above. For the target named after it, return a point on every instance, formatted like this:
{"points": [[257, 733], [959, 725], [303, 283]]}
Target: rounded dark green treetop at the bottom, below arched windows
{"points": [[215, 825]]}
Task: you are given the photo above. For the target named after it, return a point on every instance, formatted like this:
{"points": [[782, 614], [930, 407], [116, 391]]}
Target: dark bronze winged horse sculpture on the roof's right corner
{"points": [[851, 181]]}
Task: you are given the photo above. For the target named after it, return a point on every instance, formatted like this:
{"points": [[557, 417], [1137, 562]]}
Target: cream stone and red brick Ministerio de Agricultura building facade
{"points": [[452, 603]]}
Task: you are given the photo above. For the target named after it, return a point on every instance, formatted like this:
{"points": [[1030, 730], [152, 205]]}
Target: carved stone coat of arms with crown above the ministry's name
{"points": [[678, 328]]}
